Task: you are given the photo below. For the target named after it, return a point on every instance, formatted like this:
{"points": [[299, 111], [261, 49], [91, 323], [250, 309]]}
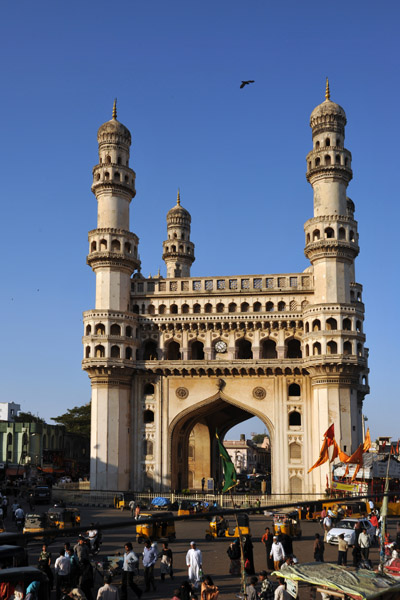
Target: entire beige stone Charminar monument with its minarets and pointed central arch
{"points": [[172, 359]]}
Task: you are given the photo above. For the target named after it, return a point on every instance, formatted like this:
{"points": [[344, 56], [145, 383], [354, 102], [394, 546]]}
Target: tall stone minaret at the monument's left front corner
{"points": [[110, 329]]}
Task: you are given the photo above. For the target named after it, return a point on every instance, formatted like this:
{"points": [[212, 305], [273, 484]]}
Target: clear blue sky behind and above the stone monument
{"points": [[237, 155]]}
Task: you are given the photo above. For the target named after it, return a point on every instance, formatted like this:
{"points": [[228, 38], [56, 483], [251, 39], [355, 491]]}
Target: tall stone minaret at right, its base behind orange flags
{"points": [[333, 339]]}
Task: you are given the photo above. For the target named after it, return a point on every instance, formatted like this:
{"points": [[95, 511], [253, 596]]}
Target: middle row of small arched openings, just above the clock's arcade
{"points": [[219, 308]]}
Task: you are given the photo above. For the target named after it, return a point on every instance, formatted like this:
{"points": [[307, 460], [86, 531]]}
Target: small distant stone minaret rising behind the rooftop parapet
{"points": [[178, 250]]}
